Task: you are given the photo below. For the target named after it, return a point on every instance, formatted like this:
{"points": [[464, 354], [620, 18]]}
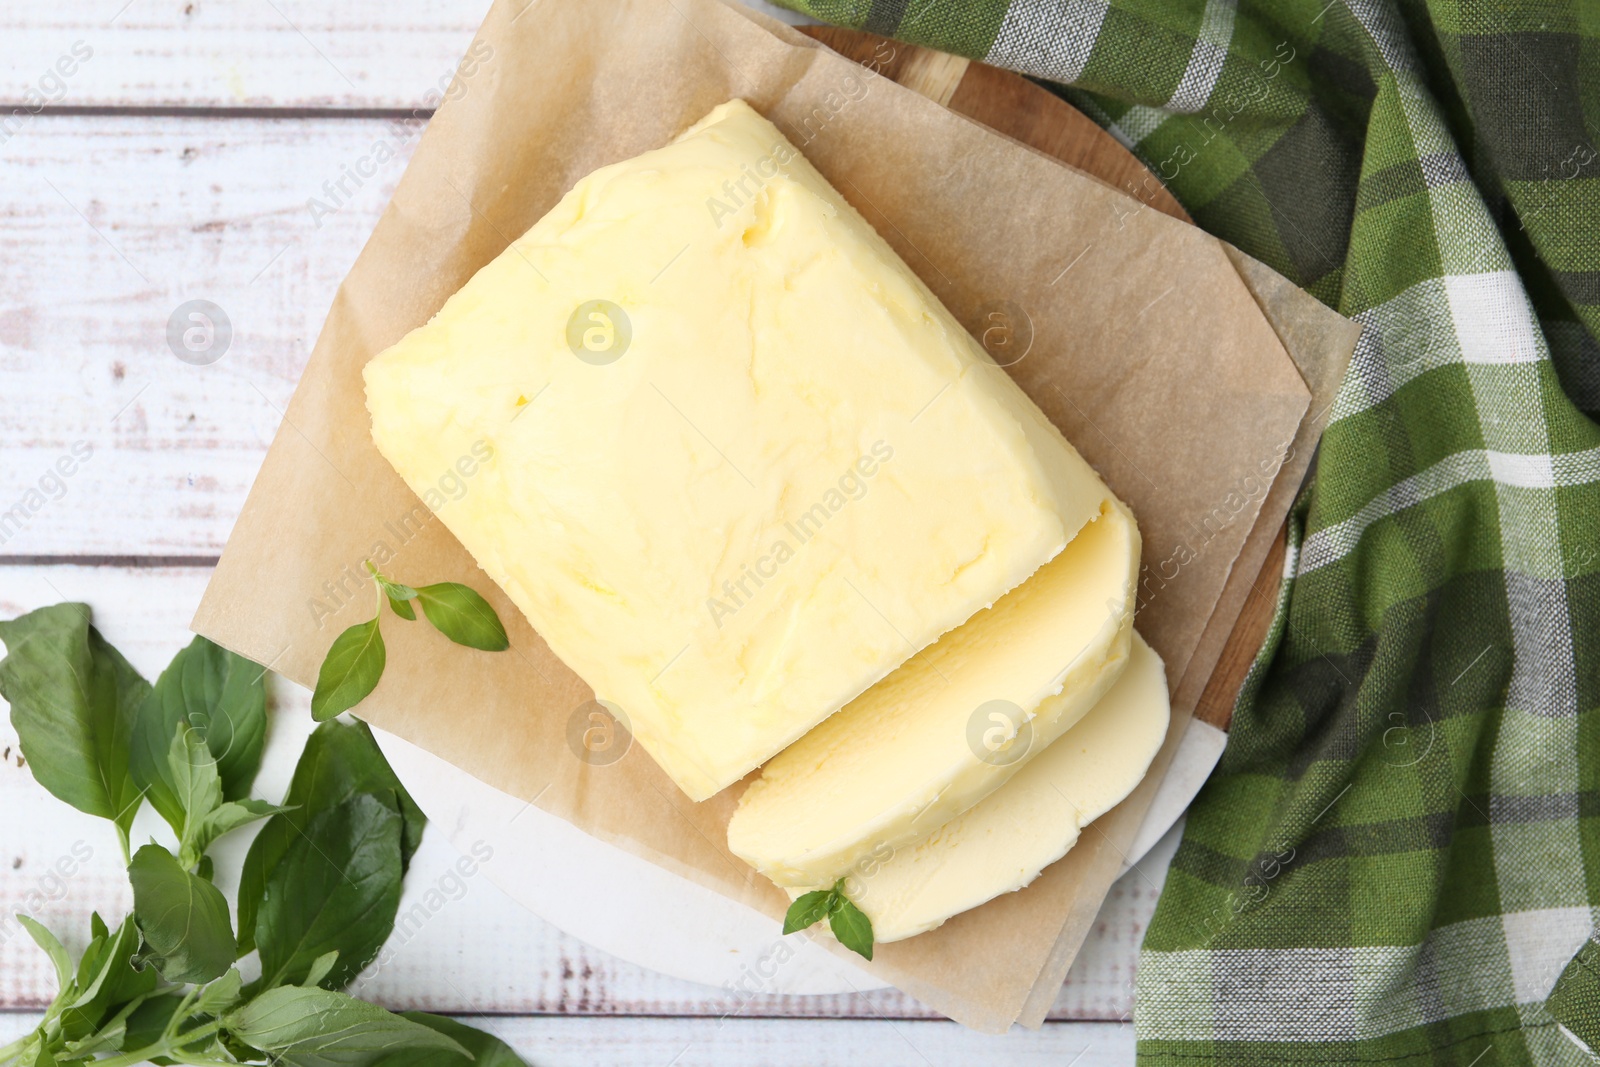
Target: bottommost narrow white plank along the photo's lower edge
{"points": [[578, 1042]]}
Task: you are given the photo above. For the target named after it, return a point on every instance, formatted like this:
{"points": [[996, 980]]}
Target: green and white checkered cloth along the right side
{"points": [[1399, 855]]}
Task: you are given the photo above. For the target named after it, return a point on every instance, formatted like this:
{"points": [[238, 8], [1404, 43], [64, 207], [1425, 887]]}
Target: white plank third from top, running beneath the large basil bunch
{"points": [[478, 951]]}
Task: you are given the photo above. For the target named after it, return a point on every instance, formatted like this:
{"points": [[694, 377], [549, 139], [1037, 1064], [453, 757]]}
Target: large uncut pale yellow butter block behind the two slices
{"points": [[742, 462]]}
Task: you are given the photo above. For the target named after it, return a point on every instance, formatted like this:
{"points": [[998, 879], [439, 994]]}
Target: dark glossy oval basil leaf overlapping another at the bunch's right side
{"points": [[337, 889]]}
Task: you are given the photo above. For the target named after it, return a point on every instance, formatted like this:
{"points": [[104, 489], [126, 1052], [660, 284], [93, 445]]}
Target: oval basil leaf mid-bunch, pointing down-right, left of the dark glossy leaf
{"points": [[182, 917]]}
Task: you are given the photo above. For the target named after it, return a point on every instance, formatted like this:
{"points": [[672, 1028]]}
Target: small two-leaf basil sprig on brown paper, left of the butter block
{"points": [[356, 660]]}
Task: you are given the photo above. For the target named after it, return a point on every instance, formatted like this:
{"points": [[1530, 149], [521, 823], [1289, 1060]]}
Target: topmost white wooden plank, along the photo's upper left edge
{"points": [[278, 54]]}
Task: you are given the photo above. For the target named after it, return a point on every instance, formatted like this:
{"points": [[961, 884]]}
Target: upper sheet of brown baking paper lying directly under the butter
{"points": [[1148, 351]]}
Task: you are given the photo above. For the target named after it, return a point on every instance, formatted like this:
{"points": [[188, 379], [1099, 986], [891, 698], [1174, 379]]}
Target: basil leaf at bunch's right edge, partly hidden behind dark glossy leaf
{"points": [[340, 761]]}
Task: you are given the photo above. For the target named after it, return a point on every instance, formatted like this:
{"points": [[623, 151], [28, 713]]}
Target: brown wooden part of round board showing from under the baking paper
{"points": [[1023, 111]]}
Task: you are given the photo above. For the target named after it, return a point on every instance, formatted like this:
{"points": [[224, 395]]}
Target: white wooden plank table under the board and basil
{"points": [[175, 161]]}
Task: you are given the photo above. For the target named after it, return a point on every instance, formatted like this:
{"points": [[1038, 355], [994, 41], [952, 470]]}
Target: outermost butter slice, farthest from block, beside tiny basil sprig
{"points": [[1002, 844]]}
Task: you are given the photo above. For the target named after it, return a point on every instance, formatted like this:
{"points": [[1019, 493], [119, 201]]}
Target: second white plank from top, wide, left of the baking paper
{"points": [[201, 209]]}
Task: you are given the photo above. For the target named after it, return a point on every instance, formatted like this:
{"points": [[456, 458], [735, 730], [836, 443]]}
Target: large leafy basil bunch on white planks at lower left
{"points": [[319, 889]]}
